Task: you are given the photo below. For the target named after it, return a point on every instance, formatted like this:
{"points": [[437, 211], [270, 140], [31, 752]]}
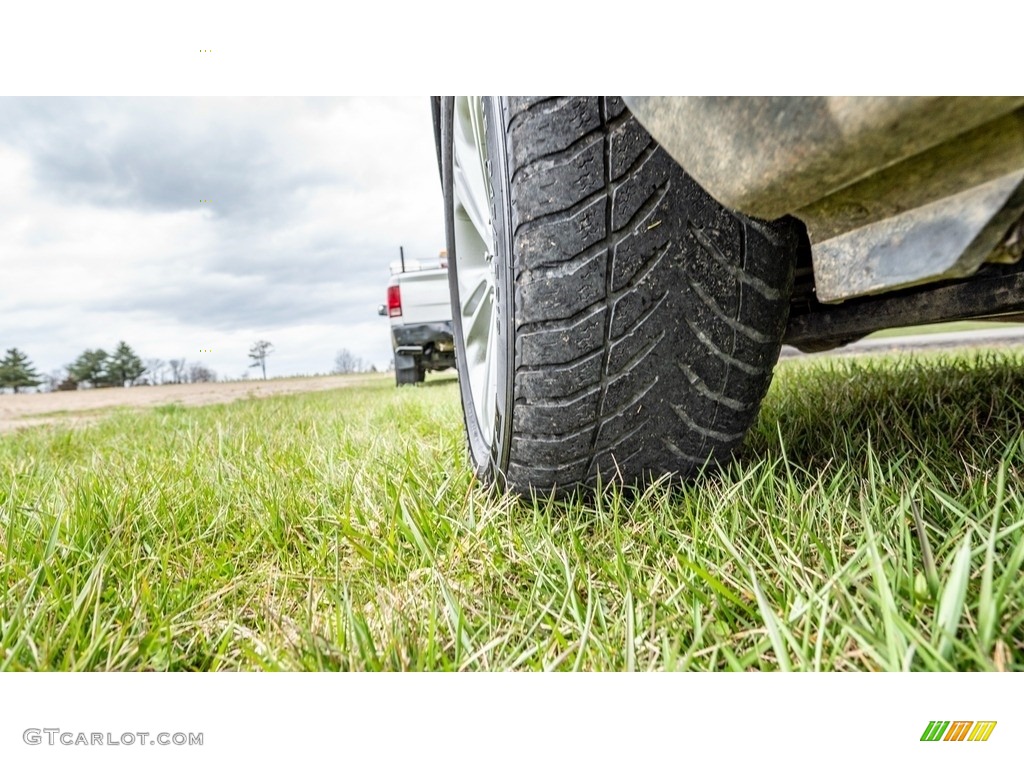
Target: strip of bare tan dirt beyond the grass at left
{"points": [[32, 409]]}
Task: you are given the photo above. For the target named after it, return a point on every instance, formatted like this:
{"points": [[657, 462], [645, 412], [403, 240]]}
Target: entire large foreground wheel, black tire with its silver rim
{"points": [[611, 319]]}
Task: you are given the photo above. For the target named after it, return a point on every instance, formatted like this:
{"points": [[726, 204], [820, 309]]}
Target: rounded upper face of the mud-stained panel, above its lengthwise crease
{"points": [[770, 156]]}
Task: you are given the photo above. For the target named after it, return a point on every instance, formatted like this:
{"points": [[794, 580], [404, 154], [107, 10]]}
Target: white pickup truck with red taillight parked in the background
{"points": [[419, 307]]}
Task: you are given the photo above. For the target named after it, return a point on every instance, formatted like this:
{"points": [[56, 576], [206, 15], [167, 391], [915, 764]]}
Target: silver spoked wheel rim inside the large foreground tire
{"points": [[475, 258]]}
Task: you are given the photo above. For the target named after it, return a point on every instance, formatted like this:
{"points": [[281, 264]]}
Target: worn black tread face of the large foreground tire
{"points": [[649, 318]]}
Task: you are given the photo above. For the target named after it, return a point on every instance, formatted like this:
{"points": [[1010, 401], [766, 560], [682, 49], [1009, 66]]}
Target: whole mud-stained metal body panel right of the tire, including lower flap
{"points": [[895, 192]]}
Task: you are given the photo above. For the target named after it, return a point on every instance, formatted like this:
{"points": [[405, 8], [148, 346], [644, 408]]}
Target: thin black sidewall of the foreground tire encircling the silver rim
{"points": [[490, 446]]}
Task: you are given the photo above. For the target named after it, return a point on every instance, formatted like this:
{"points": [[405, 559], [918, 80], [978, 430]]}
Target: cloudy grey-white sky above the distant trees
{"points": [[105, 235]]}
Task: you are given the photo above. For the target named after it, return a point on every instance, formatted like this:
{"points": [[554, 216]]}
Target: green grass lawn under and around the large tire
{"points": [[874, 522]]}
